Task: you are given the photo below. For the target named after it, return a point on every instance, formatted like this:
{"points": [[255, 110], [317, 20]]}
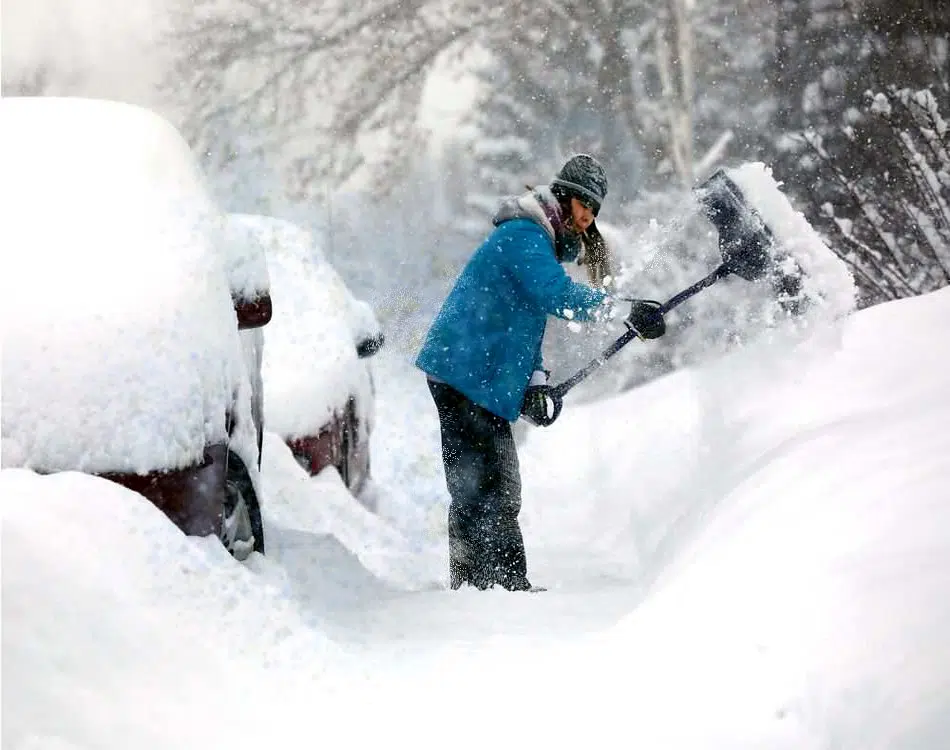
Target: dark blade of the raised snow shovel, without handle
{"points": [[745, 241]]}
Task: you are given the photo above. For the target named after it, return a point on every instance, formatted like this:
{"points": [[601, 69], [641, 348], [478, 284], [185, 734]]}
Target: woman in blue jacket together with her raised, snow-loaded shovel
{"points": [[482, 354]]}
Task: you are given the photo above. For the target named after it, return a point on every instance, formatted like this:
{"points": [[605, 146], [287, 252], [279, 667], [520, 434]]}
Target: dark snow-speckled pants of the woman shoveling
{"points": [[481, 471]]}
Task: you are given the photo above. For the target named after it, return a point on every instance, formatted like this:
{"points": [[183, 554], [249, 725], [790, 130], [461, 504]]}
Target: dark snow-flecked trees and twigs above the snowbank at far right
{"points": [[854, 167]]}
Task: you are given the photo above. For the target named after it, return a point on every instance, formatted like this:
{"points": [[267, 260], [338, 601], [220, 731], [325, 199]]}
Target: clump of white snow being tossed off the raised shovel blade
{"points": [[826, 280]]}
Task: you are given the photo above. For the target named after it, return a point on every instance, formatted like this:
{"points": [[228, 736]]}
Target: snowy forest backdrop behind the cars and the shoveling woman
{"points": [[393, 128]]}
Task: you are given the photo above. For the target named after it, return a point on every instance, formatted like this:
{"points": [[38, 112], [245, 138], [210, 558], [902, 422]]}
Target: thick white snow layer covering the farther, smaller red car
{"points": [[310, 363]]}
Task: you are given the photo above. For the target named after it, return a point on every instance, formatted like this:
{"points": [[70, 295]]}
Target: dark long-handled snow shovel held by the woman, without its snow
{"points": [[745, 244]]}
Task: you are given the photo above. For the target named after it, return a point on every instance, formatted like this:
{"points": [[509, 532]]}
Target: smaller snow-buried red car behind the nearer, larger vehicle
{"points": [[319, 392]]}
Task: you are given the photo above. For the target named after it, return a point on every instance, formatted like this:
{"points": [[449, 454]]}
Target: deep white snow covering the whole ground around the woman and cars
{"points": [[754, 554]]}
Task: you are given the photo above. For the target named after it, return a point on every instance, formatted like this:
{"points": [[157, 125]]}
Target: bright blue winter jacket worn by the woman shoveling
{"points": [[486, 340]]}
